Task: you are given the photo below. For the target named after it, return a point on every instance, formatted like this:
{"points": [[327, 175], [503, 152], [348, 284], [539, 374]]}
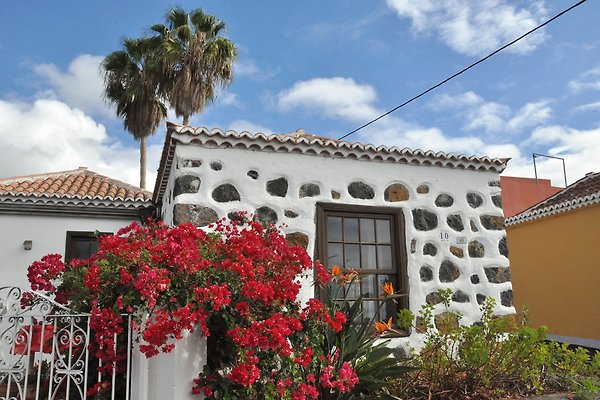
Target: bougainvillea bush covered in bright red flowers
{"points": [[238, 284]]}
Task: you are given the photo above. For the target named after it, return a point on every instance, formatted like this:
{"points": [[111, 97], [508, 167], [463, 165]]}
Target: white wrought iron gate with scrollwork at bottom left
{"points": [[45, 352]]}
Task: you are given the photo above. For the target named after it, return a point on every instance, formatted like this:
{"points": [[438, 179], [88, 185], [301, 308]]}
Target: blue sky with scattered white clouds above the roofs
{"points": [[324, 66]]}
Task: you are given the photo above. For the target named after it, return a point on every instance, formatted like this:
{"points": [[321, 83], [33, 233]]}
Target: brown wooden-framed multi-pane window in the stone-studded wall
{"points": [[369, 240]]}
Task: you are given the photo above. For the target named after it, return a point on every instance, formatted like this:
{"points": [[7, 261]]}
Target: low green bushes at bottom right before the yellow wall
{"points": [[494, 358]]}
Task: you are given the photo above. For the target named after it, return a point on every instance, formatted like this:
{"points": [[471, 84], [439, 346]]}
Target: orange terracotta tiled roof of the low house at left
{"points": [[75, 184]]}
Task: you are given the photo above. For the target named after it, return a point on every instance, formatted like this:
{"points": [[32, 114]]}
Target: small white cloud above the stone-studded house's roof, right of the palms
{"points": [[334, 97]]}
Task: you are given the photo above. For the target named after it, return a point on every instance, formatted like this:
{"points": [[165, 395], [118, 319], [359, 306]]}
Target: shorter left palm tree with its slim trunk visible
{"points": [[131, 78]]}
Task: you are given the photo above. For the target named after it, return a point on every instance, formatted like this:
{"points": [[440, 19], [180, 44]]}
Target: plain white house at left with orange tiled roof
{"points": [[60, 212]]}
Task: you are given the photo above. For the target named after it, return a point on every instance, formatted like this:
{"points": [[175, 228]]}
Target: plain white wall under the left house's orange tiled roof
{"points": [[48, 234]]}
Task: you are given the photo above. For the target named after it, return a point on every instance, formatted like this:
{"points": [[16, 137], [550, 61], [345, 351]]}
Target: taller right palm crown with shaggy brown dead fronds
{"points": [[195, 60]]}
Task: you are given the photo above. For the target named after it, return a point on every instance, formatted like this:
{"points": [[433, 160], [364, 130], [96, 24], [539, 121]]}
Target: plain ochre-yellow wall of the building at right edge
{"points": [[555, 266]]}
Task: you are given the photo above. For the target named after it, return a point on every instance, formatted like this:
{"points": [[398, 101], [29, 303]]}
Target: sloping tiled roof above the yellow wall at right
{"points": [[582, 193]]}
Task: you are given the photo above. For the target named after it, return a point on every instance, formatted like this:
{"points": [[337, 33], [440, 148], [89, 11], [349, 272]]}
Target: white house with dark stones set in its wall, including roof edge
{"points": [[422, 220]]}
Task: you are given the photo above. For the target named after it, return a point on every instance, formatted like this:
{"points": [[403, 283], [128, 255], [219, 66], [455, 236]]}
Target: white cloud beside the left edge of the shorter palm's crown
{"points": [[81, 86]]}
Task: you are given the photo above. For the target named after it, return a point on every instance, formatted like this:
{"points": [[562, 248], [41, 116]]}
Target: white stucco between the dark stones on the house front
{"points": [[335, 174]]}
